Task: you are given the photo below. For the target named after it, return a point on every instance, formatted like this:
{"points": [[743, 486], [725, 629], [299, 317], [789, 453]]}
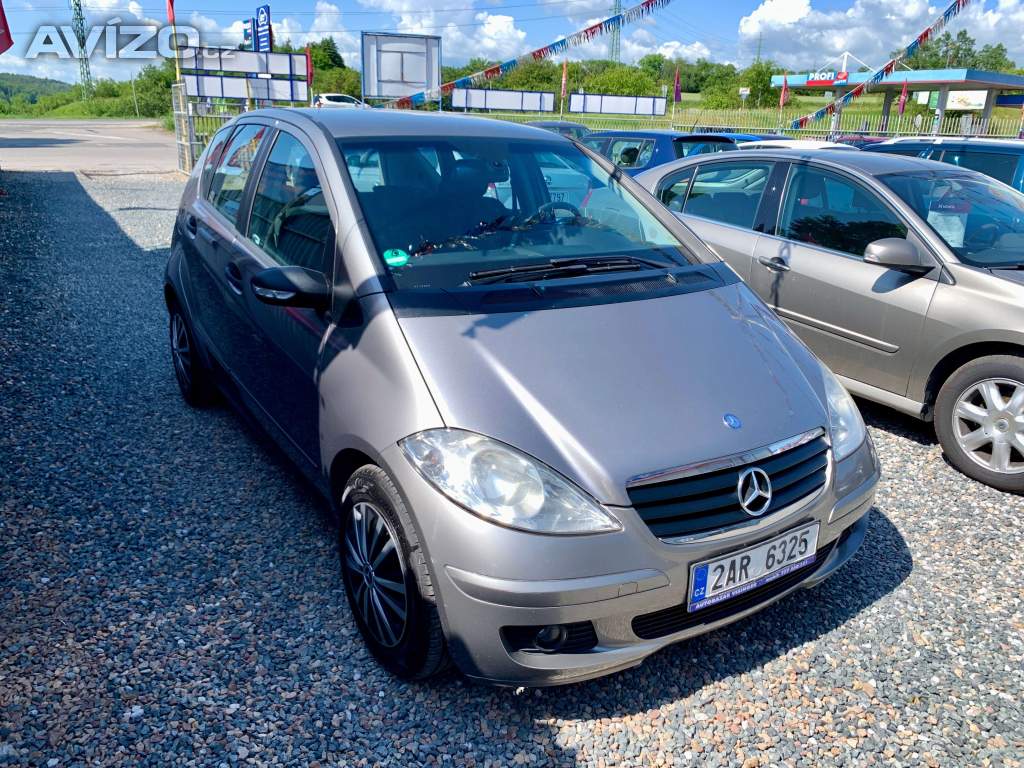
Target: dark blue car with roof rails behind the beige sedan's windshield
{"points": [[1001, 159]]}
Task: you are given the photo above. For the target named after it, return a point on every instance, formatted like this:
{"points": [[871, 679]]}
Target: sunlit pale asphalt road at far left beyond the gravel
{"points": [[92, 146]]}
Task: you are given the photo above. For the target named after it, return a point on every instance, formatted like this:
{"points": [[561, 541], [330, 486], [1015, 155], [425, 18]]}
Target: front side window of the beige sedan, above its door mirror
{"points": [[828, 210]]}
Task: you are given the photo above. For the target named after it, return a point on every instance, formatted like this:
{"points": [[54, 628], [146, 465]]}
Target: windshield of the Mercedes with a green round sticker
{"points": [[443, 211]]}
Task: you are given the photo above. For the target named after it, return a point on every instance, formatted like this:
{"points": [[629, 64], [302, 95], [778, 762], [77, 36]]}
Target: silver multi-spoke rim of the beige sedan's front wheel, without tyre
{"points": [[989, 424]]}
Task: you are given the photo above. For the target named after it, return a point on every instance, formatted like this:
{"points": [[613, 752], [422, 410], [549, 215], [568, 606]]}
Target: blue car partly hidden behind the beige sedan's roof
{"points": [[639, 151]]}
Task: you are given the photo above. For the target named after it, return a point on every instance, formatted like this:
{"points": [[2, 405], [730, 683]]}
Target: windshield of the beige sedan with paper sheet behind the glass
{"points": [[979, 219]]}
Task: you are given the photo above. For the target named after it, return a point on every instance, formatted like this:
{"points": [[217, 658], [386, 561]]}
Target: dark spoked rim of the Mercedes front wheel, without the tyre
{"points": [[376, 574]]}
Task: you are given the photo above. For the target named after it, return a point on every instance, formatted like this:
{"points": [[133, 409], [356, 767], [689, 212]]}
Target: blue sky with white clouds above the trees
{"points": [[800, 35]]}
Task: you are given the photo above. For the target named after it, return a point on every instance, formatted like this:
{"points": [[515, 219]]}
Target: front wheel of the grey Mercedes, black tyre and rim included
{"points": [[388, 578]]}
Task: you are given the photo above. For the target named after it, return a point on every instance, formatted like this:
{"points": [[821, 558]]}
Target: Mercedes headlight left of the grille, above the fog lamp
{"points": [[502, 485]]}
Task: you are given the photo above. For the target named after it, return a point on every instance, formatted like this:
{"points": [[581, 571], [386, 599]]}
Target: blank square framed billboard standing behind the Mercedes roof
{"points": [[397, 66]]}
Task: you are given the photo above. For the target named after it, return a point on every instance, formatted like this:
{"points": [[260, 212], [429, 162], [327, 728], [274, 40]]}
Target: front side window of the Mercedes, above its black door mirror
{"points": [[290, 221]]}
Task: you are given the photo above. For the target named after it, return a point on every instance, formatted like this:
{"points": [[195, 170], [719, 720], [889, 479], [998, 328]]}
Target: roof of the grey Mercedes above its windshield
{"points": [[377, 123]]}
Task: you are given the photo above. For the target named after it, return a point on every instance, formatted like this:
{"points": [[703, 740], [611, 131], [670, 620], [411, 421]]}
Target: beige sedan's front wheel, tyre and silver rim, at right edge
{"points": [[979, 420]]}
